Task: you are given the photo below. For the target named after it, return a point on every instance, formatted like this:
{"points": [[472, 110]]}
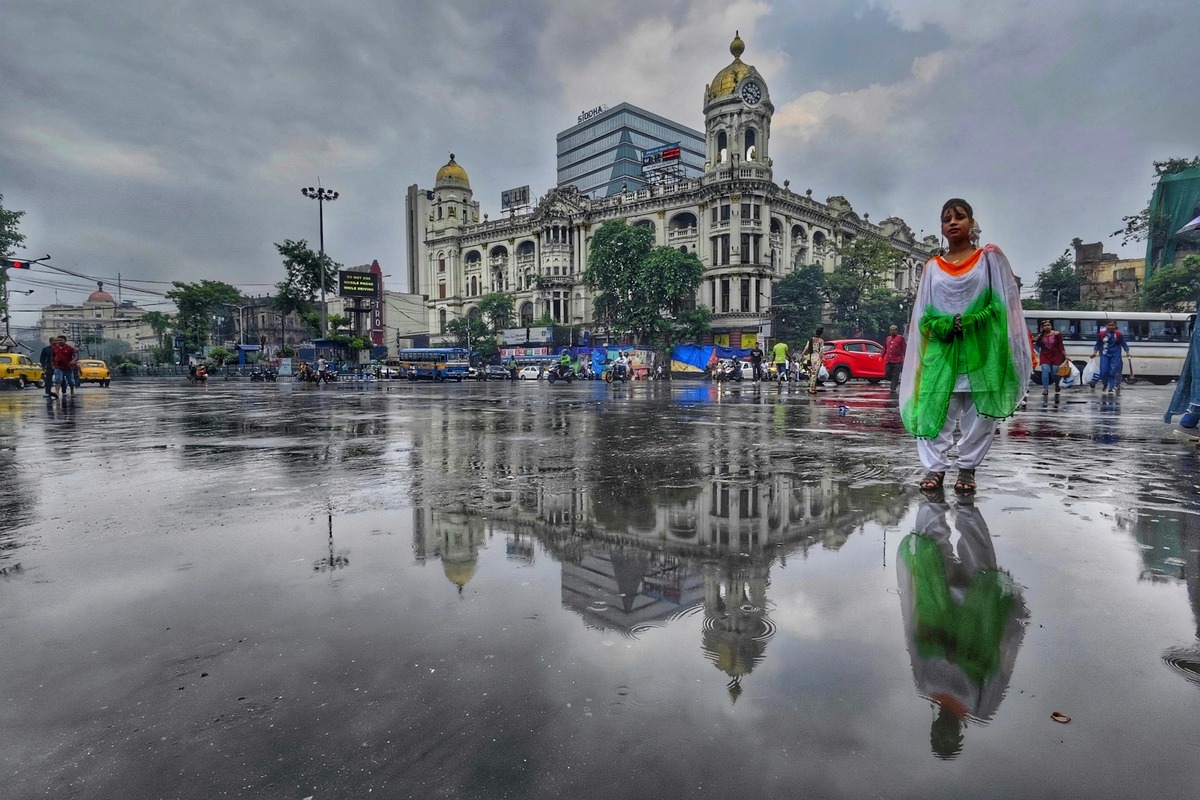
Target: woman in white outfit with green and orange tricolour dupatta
{"points": [[970, 362]]}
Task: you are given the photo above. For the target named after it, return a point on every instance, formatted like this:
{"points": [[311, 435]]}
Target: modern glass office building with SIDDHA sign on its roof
{"points": [[603, 154]]}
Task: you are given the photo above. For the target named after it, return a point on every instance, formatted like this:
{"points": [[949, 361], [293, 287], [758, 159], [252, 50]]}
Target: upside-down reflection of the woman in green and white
{"points": [[964, 619]]}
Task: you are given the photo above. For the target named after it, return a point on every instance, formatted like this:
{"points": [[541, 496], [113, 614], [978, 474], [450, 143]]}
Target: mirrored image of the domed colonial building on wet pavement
{"points": [[638, 558]]}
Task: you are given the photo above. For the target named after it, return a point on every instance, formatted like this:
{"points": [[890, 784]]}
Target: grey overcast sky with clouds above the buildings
{"points": [[169, 140]]}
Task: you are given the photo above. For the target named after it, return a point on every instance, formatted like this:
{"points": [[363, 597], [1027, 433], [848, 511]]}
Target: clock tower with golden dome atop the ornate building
{"points": [[737, 117]]}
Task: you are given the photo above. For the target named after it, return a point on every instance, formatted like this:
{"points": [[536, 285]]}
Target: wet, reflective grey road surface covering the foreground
{"points": [[520, 591]]}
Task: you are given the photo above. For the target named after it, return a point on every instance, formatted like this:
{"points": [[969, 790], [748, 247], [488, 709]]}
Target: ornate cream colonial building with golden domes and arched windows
{"points": [[748, 231]]}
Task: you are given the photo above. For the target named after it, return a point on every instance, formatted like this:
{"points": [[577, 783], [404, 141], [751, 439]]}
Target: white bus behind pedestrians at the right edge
{"points": [[1159, 341]]}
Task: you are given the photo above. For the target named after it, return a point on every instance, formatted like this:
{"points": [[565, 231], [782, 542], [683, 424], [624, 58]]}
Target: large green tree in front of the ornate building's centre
{"points": [[639, 285]]}
